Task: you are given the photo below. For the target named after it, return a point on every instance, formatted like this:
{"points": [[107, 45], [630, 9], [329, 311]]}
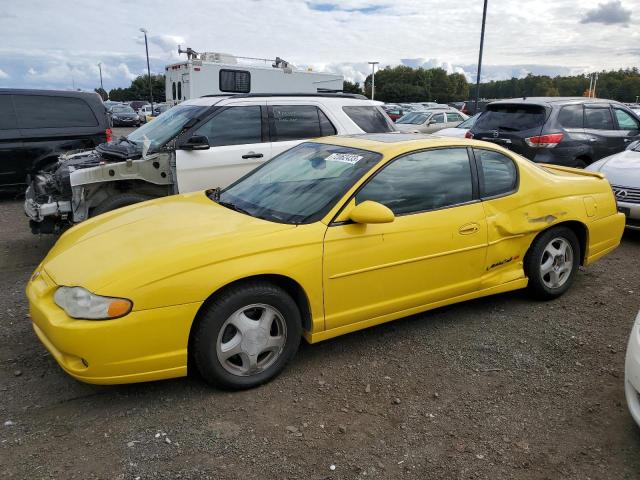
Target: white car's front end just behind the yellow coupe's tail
{"points": [[623, 172]]}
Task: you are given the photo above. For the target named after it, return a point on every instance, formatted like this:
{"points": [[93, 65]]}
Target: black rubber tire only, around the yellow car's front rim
{"points": [[207, 332]]}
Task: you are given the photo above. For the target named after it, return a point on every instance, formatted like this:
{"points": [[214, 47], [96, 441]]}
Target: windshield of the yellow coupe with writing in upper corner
{"points": [[301, 185]]}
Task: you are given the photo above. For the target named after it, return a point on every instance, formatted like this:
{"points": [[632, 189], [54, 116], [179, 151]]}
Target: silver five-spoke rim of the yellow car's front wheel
{"points": [[251, 339]]}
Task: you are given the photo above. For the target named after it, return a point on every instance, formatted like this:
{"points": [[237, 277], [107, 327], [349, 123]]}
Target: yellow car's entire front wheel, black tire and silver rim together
{"points": [[246, 336]]}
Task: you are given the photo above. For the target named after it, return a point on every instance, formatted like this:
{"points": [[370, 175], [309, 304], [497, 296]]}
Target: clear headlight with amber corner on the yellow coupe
{"points": [[80, 303]]}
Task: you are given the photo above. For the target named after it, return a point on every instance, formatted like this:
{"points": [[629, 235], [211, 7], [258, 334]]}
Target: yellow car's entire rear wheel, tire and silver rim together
{"points": [[552, 262]]}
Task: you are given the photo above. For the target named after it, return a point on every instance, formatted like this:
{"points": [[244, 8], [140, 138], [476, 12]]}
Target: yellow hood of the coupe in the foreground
{"points": [[137, 245]]}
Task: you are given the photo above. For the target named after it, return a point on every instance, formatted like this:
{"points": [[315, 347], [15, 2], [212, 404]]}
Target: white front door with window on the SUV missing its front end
{"points": [[238, 143]]}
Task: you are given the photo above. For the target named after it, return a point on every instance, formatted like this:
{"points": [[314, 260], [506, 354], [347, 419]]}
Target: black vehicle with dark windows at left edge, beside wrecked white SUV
{"points": [[36, 126]]}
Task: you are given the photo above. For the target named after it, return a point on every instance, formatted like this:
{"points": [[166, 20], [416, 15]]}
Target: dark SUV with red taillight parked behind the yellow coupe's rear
{"points": [[565, 131]]}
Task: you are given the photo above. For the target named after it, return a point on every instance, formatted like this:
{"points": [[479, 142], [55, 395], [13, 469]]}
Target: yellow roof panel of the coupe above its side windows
{"points": [[386, 143]]}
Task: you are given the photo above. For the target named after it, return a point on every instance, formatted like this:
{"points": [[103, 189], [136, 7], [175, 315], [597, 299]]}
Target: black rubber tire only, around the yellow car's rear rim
{"points": [[538, 282]]}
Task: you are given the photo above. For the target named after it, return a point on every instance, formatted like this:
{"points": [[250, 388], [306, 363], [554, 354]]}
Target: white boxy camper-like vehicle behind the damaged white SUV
{"points": [[211, 73]]}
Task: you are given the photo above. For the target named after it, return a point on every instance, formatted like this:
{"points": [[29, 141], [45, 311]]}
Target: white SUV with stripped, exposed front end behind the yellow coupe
{"points": [[200, 144]]}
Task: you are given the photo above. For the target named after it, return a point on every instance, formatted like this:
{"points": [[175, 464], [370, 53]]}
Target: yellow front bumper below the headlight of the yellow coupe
{"points": [[142, 346]]}
